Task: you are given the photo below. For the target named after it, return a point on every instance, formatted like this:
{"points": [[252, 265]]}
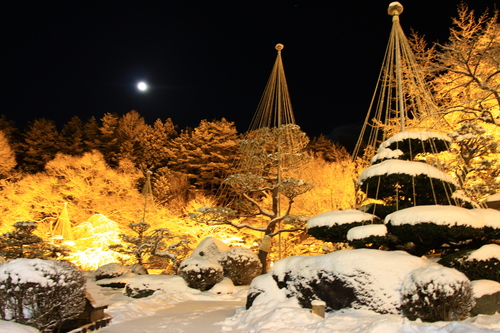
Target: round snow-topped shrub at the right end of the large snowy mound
{"points": [[436, 293]]}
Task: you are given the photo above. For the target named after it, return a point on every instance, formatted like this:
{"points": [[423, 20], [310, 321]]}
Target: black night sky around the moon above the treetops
{"points": [[202, 59]]}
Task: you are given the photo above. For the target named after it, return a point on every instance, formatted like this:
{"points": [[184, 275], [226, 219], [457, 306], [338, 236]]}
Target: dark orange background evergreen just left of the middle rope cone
{"points": [[206, 153]]}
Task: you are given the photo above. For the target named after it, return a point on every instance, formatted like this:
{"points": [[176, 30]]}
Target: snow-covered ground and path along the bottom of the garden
{"points": [[193, 311]]}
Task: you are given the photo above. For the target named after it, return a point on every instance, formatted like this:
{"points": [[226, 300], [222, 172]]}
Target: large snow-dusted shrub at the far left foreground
{"points": [[41, 293]]}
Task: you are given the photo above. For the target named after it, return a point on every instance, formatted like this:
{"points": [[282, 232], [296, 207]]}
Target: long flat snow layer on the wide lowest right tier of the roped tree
{"points": [[444, 215]]}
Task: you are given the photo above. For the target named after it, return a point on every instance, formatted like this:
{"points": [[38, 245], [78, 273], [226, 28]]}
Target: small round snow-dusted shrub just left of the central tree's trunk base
{"points": [[241, 265]]}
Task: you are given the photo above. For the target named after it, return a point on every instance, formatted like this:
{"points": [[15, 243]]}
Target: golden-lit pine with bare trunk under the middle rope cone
{"points": [[266, 189]]}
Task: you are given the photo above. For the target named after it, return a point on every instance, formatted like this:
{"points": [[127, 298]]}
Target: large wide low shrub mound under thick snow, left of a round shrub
{"points": [[360, 279]]}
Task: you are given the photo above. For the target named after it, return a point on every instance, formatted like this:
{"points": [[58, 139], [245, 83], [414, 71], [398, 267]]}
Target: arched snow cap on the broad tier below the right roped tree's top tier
{"points": [[405, 167]]}
